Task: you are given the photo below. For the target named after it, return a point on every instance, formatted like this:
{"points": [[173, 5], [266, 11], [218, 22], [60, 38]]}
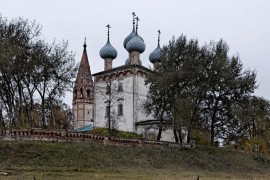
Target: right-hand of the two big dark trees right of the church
{"points": [[228, 83]]}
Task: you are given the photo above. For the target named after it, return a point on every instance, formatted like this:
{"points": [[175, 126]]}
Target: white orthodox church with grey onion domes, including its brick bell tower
{"points": [[114, 97]]}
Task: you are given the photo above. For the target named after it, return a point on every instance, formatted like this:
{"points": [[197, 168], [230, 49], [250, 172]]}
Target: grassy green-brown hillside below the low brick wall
{"points": [[71, 160]]}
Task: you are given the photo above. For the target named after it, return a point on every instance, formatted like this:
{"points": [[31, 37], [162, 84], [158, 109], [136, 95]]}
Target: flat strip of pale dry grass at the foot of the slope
{"points": [[146, 174]]}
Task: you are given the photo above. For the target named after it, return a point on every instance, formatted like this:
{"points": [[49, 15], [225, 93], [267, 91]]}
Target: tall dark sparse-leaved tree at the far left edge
{"points": [[16, 42]]}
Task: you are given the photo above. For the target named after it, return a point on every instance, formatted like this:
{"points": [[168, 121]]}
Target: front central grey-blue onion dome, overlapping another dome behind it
{"points": [[136, 44]]}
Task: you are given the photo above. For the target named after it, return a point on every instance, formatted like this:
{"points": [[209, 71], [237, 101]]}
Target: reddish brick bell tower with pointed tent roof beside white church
{"points": [[83, 94]]}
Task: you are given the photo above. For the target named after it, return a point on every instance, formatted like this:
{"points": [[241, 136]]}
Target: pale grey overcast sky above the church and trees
{"points": [[243, 24]]}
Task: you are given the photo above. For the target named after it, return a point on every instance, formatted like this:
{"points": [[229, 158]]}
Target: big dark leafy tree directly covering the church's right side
{"points": [[175, 88]]}
